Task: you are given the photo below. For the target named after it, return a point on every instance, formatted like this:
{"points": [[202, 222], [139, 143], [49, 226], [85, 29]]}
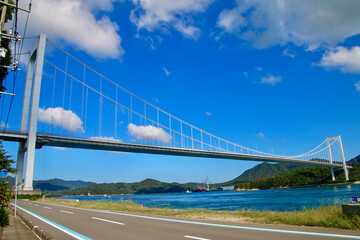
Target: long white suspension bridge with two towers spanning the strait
{"points": [[82, 108]]}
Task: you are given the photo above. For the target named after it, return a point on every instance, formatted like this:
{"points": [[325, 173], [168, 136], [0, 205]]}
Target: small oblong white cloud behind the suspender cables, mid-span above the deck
{"points": [[149, 133]]}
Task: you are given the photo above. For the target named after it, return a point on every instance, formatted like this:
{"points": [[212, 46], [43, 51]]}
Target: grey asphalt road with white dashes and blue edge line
{"points": [[63, 222]]}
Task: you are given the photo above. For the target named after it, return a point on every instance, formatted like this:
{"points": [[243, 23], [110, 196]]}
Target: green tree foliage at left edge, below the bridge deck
{"points": [[5, 190]]}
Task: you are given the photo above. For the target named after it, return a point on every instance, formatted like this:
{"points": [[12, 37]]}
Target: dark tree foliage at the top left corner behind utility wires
{"points": [[5, 43]]}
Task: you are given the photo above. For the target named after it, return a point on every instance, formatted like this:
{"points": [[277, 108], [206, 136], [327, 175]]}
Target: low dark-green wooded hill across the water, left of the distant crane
{"points": [[145, 186]]}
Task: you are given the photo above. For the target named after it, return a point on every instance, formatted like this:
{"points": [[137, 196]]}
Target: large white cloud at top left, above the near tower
{"points": [[80, 23]]}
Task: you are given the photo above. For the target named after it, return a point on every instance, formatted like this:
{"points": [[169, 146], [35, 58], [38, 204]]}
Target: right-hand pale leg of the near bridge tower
{"points": [[30, 156]]}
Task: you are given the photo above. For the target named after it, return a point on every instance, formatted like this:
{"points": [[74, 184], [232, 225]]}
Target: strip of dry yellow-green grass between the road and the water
{"points": [[329, 216]]}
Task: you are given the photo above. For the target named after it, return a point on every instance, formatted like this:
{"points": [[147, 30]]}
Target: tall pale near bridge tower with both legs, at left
{"points": [[29, 123]]}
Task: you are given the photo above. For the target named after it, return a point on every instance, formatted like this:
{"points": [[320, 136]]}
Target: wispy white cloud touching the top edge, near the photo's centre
{"points": [[165, 14]]}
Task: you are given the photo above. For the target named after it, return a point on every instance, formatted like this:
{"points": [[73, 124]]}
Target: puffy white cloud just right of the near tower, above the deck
{"points": [[58, 117]]}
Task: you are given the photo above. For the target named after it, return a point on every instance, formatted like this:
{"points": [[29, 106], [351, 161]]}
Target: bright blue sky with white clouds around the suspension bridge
{"points": [[270, 75]]}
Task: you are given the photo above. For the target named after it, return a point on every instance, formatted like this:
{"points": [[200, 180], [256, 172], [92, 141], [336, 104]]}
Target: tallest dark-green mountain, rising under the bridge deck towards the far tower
{"points": [[262, 170]]}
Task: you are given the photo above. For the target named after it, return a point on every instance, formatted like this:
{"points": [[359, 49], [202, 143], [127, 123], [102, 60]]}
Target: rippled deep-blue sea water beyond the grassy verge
{"points": [[276, 200]]}
